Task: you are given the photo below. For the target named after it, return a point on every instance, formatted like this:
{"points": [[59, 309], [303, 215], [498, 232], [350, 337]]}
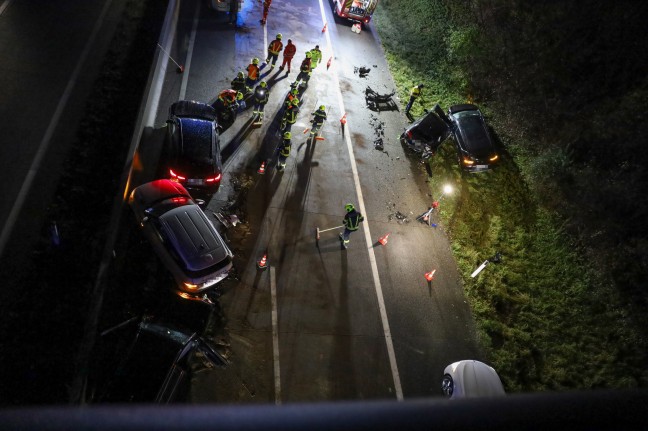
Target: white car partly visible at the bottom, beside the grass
{"points": [[474, 379]]}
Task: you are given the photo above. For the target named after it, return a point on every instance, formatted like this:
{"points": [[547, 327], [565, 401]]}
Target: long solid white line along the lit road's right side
{"points": [[372, 256]]}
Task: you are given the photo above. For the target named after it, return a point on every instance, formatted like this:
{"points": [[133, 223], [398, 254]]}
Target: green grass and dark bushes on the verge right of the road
{"points": [[563, 86]]}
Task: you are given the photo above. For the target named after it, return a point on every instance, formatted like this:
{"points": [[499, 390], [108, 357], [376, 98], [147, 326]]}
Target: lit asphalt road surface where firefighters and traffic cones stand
{"points": [[321, 323]]}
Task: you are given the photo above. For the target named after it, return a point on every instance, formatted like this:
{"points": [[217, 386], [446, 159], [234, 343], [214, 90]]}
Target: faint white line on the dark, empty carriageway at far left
{"points": [[49, 132]]}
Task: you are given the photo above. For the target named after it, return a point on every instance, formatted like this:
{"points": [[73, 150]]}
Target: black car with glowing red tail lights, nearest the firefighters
{"points": [[192, 147]]}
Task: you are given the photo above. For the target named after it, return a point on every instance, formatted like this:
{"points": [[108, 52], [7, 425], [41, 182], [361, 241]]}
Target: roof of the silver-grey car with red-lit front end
{"points": [[194, 238]]}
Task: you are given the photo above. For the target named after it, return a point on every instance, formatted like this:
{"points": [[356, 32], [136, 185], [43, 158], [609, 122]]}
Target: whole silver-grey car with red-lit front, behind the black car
{"points": [[182, 236]]}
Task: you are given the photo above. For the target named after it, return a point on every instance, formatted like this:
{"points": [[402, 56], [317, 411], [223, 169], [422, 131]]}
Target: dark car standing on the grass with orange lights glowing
{"points": [[475, 148]]}
